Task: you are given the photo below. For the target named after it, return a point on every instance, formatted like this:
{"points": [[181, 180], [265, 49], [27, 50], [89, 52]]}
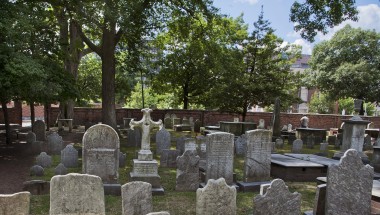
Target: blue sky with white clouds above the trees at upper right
{"points": [[277, 12]]}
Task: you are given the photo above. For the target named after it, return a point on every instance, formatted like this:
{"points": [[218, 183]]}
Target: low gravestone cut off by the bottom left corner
{"points": [[15, 204]]}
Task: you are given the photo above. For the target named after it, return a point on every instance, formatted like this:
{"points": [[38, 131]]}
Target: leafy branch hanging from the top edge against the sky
{"points": [[313, 16]]}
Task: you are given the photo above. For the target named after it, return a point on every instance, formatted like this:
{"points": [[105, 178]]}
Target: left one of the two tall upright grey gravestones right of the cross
{"points": [[220, 156]]}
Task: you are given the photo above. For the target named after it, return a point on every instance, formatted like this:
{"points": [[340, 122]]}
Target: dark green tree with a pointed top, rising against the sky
{"points": [[257, 73]]}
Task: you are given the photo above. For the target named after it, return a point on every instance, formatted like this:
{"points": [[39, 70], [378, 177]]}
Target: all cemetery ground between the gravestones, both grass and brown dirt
{"points": [[16, 161]]}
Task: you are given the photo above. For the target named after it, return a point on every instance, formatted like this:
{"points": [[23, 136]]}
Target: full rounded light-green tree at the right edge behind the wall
{"points": [[348, 65]]}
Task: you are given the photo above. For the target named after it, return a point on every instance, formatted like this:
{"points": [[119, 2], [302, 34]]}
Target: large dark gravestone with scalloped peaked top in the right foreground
{"points": [[349, 186]]}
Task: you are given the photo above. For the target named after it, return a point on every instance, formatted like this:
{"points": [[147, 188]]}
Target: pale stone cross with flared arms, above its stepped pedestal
{"points": [[146, 124]]}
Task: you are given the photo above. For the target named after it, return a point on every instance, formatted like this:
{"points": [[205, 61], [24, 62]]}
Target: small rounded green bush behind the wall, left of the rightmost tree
{"points": [[320, 103]]}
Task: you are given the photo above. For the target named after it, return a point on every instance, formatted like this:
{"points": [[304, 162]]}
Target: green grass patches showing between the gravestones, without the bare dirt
{"points": [[177, 203]]}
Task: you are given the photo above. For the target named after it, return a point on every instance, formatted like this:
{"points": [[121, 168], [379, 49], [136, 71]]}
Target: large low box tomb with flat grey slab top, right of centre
{"points": [[293, 169]]}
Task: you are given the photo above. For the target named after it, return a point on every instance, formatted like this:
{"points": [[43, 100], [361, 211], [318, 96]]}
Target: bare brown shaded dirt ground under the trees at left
{"points": [[16, 160]]}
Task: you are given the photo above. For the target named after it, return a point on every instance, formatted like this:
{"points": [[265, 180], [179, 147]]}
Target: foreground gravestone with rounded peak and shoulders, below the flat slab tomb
{"points": [[277, 200]]}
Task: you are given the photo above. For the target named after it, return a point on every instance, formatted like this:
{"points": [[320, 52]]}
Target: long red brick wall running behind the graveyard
{"points": [[326, 121]]}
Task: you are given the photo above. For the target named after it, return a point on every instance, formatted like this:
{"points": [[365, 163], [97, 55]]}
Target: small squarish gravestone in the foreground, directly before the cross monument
{"points": [[137, 198]]}
